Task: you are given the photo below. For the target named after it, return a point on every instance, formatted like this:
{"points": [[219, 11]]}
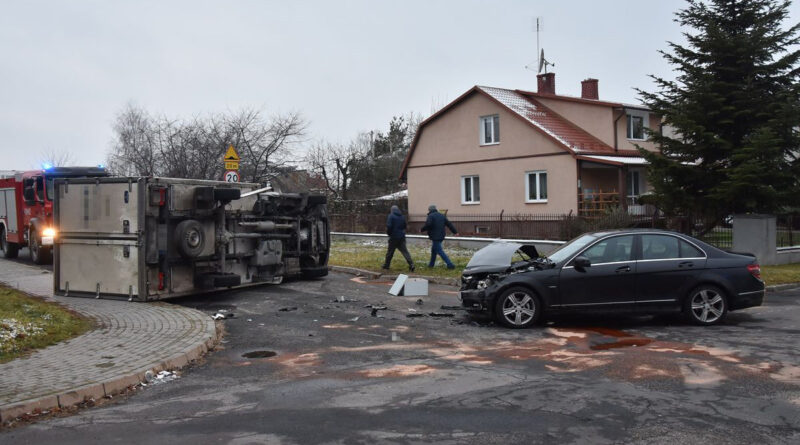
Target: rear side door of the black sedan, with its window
{"points": [[666, 269]]}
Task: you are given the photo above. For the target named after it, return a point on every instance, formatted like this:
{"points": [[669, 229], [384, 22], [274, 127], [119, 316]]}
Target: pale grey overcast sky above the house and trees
{"points": [[66, 68]]}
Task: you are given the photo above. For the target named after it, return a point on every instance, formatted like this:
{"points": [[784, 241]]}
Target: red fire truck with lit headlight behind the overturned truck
{"points": [[26, 209]]}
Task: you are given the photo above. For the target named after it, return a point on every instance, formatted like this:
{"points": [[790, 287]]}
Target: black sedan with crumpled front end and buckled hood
{"points": [[632, 271]]}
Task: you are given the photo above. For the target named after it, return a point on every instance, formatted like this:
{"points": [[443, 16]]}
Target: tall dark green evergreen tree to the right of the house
{"points": [[733, 112]]}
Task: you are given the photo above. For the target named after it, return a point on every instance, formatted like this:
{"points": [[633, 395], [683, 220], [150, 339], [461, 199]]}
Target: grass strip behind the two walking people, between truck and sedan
{"points": [[369, 255]]}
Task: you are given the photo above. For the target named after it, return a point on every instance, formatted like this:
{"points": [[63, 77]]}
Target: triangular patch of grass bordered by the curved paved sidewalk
{"points": [[28, 323]]}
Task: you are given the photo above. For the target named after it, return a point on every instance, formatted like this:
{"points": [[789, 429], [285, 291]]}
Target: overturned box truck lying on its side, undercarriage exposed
{"points": [[148, 239]]}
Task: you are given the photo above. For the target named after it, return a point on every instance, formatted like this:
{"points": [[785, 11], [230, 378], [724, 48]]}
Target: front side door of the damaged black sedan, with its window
{"points": [[609, 280]]}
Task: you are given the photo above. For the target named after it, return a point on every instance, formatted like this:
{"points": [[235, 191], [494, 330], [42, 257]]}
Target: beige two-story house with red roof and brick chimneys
{"points": [[495, 149]]}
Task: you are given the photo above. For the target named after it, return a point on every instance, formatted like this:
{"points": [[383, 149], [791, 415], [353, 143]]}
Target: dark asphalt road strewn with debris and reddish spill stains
{"points": [[393, 379]]}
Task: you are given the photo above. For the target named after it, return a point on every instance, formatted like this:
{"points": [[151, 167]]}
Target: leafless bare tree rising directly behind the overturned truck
{"points": [[161, 146]]}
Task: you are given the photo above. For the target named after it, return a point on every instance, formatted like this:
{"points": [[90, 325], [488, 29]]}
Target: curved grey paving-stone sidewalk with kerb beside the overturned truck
{"points": [[131, 339]]}
